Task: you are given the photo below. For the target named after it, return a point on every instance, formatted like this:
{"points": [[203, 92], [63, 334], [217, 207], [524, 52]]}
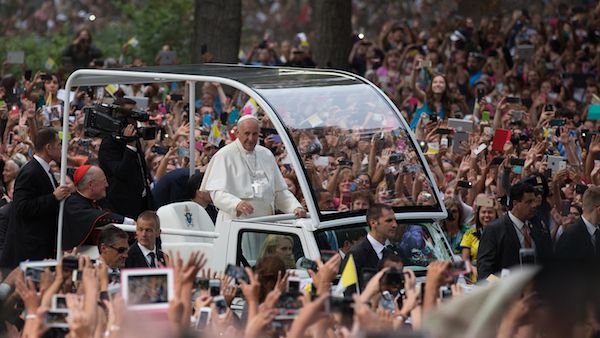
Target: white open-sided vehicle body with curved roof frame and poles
{"points": [[186, 227]]}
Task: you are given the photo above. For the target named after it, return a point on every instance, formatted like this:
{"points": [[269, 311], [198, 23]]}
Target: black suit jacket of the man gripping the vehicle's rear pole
{"points": [[33, 222]]}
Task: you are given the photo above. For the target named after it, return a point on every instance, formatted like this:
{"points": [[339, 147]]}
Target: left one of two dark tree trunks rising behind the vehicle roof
{"points": [[217, 29]]}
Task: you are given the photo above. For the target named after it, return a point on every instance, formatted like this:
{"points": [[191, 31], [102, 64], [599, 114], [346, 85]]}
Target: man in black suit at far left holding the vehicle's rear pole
{"points": [[33, 219]]}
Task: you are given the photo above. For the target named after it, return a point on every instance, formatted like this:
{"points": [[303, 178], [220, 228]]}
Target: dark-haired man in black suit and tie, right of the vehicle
{"points": [[502, 240]]}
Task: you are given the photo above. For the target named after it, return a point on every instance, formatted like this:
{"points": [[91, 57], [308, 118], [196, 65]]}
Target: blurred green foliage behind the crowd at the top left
{"points": [[154, 23]]}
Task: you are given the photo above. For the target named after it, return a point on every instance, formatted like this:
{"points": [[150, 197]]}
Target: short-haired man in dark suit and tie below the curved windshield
{"points": [[369, 251]]}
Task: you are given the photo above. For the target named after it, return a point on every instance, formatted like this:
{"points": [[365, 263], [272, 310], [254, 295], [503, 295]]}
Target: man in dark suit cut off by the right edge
{"points": [[581, 241]]}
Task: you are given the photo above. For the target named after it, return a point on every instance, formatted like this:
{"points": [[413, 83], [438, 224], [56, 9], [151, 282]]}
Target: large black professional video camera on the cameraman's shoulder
{"points": [[110, 120]]}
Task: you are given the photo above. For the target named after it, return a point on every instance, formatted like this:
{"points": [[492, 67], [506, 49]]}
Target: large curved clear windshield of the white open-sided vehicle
{"points": [[345, 126]]}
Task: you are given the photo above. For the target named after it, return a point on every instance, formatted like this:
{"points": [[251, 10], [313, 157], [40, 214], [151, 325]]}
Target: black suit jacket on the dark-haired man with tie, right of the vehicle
{"points": [[499, 246]]}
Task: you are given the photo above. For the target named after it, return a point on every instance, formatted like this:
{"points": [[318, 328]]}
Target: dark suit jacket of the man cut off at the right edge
{"points": [[576, 244]]}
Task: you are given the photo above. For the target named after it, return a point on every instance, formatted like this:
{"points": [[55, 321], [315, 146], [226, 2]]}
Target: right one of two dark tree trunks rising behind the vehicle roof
{"points": [[333, 30]]}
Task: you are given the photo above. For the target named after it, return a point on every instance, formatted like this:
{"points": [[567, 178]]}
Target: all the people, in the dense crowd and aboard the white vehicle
{"points": [[505, 111]]}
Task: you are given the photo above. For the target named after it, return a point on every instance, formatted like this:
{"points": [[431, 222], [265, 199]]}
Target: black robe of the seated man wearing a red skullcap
{"points": [[81, 217]]}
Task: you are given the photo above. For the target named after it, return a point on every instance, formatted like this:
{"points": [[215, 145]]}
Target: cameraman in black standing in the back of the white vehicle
{"points": [[122, 159]]}
